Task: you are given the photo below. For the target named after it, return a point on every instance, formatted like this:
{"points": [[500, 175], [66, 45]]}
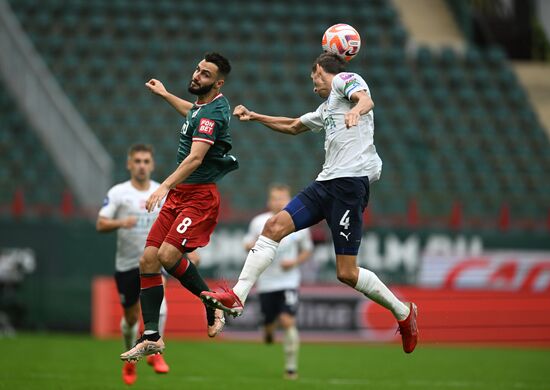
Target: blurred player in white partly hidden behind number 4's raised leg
{"points": [[278, 285]]}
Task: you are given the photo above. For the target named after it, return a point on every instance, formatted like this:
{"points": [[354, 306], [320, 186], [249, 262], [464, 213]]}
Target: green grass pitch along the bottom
{"points": [[54, 361]]}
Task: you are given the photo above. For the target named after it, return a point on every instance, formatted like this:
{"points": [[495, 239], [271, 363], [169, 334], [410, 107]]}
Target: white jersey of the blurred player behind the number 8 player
{"points": [[124, 200]]}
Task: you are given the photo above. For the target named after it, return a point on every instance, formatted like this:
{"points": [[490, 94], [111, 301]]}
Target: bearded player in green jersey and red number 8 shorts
{"points": [[190, 212]]}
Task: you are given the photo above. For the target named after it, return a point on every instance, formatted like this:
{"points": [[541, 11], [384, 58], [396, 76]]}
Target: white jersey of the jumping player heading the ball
{"points": [[348, 152]]}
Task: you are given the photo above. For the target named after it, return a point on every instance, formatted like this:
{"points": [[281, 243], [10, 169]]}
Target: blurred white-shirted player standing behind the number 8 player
{"points": [[124, 211]]}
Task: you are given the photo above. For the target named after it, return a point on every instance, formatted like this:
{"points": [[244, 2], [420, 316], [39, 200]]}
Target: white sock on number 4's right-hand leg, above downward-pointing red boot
{"points": [[369, 284]]}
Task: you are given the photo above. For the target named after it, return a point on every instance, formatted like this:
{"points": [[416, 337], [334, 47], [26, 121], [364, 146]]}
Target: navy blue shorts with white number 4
{"points": [[341, 202]]}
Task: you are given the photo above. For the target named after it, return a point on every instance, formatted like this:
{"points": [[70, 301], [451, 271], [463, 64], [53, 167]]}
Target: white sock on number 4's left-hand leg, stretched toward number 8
{"points": [[258, 259]]}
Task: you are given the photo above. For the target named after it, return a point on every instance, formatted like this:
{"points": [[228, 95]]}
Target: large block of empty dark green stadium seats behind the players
{"points": [[448, 127]]}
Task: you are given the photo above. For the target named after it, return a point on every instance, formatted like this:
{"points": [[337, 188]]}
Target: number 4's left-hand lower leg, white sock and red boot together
{"points": [[258, 259]]}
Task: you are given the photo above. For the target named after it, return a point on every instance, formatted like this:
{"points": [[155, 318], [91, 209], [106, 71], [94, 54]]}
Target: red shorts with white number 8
{"points": [[187, 218]]}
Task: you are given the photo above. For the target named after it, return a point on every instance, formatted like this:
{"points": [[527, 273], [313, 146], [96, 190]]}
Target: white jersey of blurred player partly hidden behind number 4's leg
{"points": [[274, 278]]}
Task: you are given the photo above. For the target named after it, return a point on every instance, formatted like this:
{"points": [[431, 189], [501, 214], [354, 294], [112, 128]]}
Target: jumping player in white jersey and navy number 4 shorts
{"points": [[339, 194]]}
